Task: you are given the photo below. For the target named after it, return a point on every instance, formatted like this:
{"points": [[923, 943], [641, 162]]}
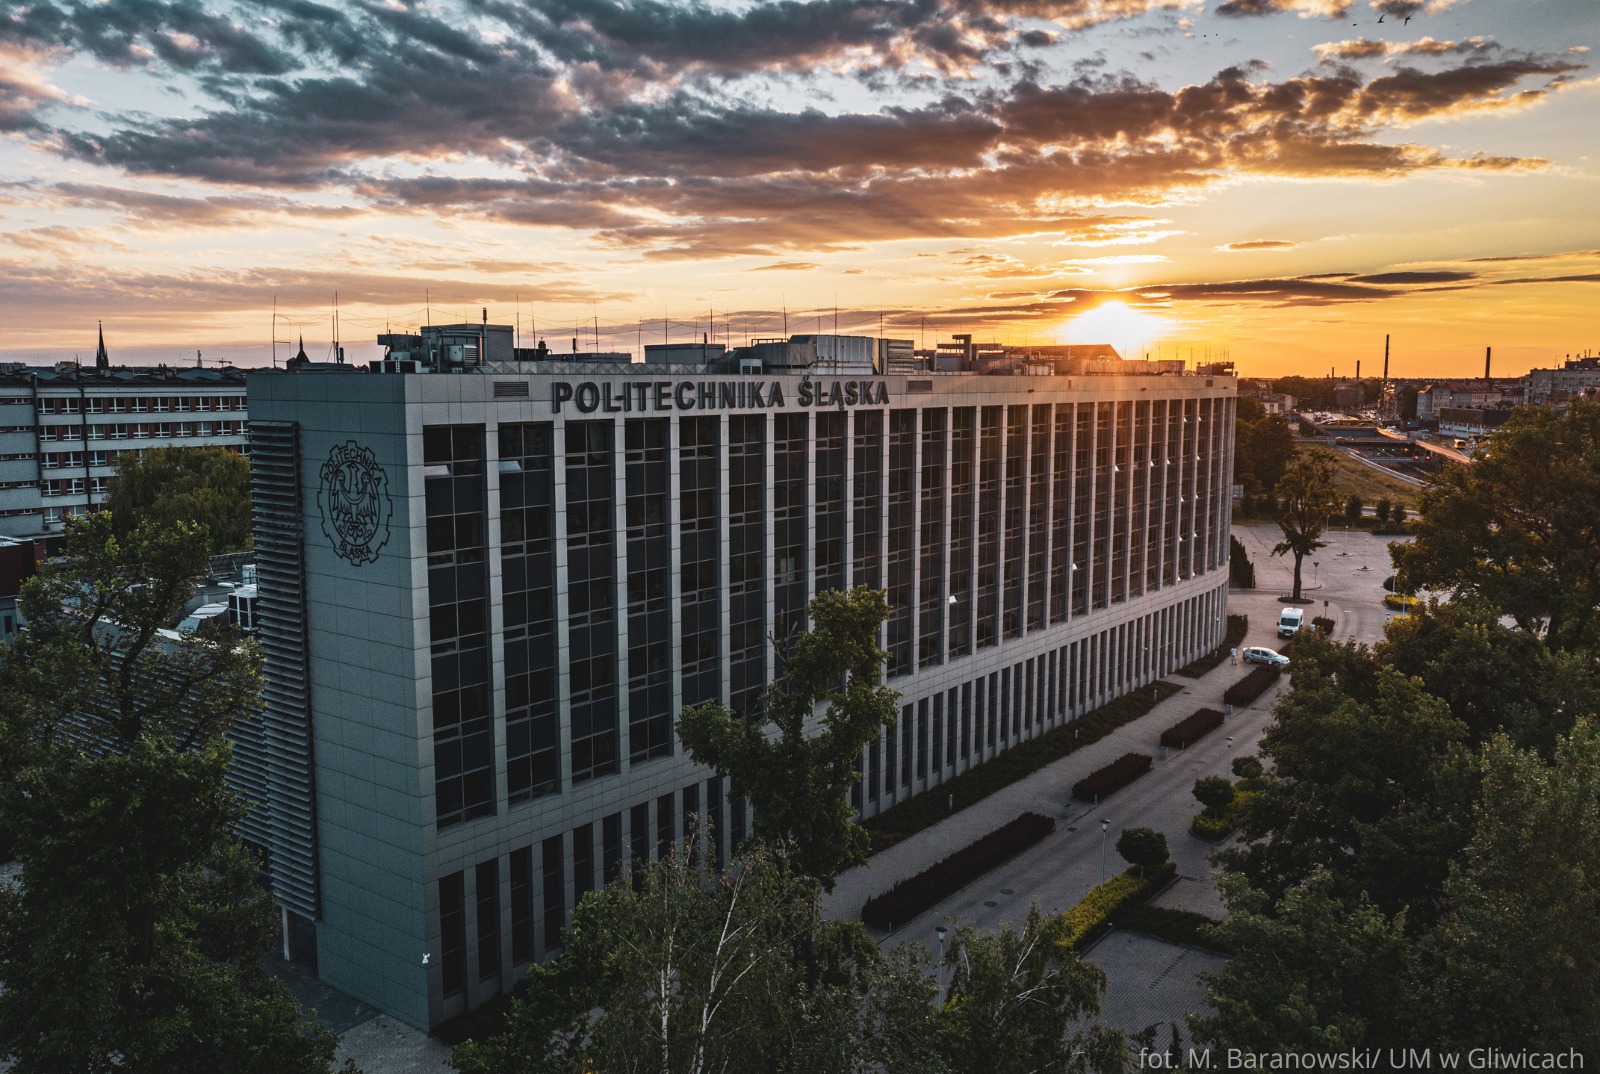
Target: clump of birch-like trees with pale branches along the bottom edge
{"points": [[684, 971]]}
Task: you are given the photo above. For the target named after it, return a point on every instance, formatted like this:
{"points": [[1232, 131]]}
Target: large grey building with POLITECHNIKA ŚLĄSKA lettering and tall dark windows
{"points": [[486, 598]]}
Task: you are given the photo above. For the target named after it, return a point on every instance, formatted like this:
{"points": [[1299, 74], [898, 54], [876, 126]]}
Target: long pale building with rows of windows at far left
{"points": [[62, 431]]}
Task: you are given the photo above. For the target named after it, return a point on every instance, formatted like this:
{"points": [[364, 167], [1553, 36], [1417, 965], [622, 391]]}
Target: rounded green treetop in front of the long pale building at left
{"points": [[170, 486]]}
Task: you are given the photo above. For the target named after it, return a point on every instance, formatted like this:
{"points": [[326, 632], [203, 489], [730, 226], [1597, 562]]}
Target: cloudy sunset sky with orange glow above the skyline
{"points": [[1279, 183]]}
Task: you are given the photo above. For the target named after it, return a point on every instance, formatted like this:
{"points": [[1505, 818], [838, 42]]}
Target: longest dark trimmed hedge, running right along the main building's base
{"points": [[1022, 761]]}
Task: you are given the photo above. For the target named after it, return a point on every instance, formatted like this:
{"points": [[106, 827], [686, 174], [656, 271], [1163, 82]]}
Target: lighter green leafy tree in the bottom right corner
{"points": [[1519, 953]]}
